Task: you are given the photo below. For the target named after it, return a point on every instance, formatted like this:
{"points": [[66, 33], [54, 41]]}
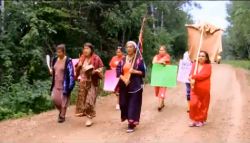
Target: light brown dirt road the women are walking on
{"points": [[228, 120]]}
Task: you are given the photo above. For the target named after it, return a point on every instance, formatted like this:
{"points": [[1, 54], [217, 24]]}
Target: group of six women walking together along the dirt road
{"points": [[129, 90]]}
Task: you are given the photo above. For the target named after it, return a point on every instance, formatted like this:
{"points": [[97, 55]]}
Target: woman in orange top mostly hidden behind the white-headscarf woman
{"points": [[113, 64]]}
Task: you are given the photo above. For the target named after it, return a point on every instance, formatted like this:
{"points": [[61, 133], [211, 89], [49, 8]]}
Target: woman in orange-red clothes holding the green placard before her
{"points": [[161, 58]]}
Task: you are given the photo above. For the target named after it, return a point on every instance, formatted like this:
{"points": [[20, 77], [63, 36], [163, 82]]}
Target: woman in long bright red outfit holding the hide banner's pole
{"points": [[200, 93]]}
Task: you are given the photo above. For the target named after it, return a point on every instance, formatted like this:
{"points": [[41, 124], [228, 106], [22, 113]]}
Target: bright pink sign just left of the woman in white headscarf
{"points": [[110, 80]]}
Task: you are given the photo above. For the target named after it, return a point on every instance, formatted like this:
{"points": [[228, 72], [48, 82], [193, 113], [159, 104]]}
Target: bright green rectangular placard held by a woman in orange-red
{"points": [[164, 76]]}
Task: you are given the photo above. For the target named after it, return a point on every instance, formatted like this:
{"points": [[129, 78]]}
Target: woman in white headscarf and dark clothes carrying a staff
{"points": [[130, 89]]}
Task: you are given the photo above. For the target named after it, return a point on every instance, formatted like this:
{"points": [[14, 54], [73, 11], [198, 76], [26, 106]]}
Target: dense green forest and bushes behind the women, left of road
{"points": [[31, 30]]}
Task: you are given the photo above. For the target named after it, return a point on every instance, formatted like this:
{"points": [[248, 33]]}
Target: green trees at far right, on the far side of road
{"points": [[236, 40]]}
